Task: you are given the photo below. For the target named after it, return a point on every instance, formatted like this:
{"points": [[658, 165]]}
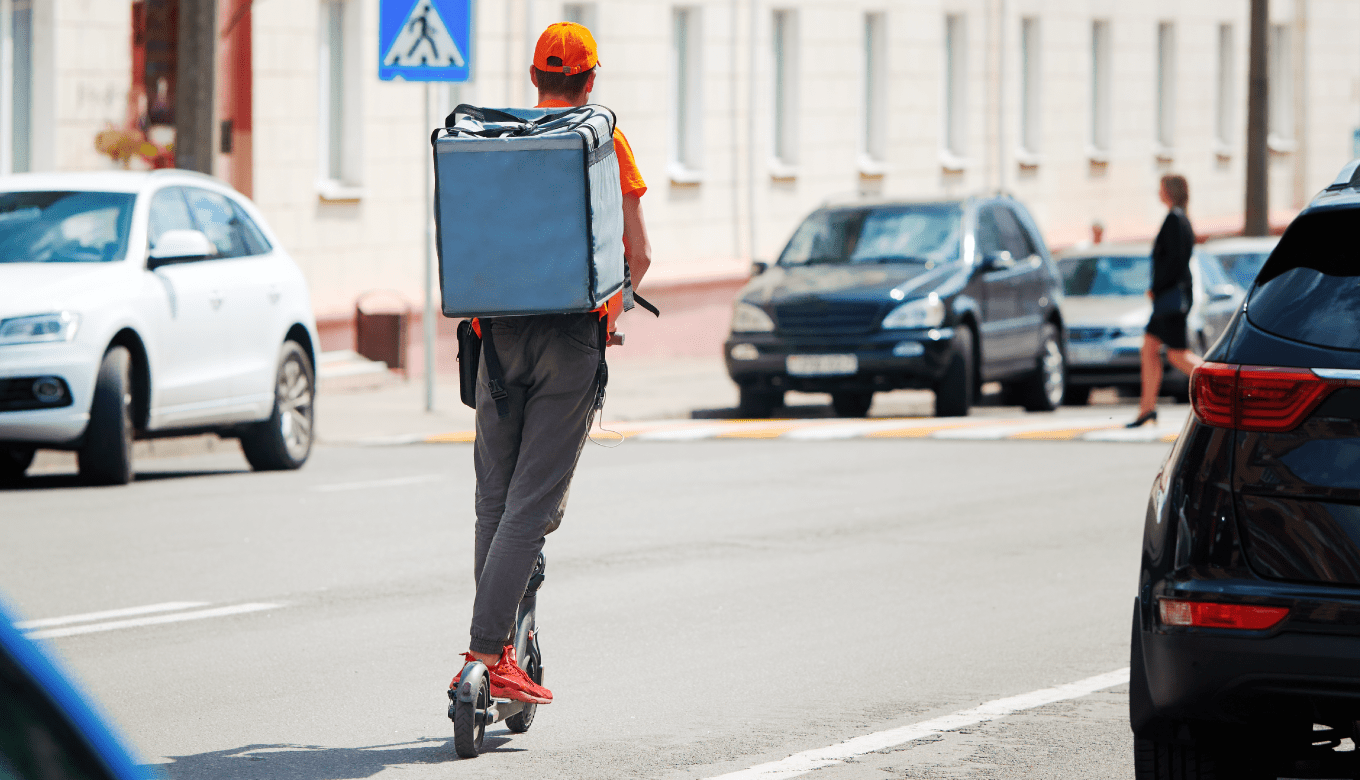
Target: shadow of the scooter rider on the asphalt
{"points": [[315, 763]]}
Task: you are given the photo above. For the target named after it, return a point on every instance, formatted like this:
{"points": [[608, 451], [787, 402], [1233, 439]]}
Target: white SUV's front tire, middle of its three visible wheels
{"points": [[107, 456]]}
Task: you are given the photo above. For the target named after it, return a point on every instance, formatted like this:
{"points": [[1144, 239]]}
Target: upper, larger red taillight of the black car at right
{"points": [[1257, 397]]}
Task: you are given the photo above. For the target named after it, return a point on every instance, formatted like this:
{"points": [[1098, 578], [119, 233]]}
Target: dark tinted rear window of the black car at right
{"points": [[1310, 289]]}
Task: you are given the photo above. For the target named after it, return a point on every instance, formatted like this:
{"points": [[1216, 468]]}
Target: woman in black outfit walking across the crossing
{"points": [[1172, 291]]}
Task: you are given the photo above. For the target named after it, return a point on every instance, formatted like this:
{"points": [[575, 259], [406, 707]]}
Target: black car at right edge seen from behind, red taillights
{"points": [[1246, 627]]}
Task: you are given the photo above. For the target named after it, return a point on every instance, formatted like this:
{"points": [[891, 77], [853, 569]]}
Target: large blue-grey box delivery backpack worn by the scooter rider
{"points": [[528, 221]]}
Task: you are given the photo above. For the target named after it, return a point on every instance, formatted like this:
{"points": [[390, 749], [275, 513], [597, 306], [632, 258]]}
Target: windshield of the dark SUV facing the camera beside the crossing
{"points": [[925, 234]]}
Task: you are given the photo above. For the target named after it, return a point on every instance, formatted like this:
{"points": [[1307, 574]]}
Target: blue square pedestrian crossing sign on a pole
{"points": [[425, 40]]}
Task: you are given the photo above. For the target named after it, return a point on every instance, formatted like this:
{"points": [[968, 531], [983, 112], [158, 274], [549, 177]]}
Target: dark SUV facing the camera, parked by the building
{"points": [[940, 296]]}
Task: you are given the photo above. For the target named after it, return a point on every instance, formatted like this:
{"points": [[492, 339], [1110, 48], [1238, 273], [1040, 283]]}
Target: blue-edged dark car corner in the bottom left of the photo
{"points": [[47, 729]]}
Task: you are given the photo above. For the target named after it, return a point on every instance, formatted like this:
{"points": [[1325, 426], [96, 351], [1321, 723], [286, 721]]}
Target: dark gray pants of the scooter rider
{"points": [[526, 461]]}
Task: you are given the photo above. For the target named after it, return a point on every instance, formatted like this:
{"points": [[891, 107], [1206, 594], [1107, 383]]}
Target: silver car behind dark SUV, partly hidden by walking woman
{"points": [[1106, 308]]}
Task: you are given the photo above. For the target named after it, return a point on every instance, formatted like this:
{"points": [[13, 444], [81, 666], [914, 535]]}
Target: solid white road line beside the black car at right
{"points": [[811, 760]]}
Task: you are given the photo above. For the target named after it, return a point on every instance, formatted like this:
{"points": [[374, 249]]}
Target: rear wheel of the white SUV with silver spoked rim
{"points": [[284, 442]]}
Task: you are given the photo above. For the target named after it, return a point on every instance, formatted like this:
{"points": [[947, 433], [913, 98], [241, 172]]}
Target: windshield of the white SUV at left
{"points": [[65, 226]]}
